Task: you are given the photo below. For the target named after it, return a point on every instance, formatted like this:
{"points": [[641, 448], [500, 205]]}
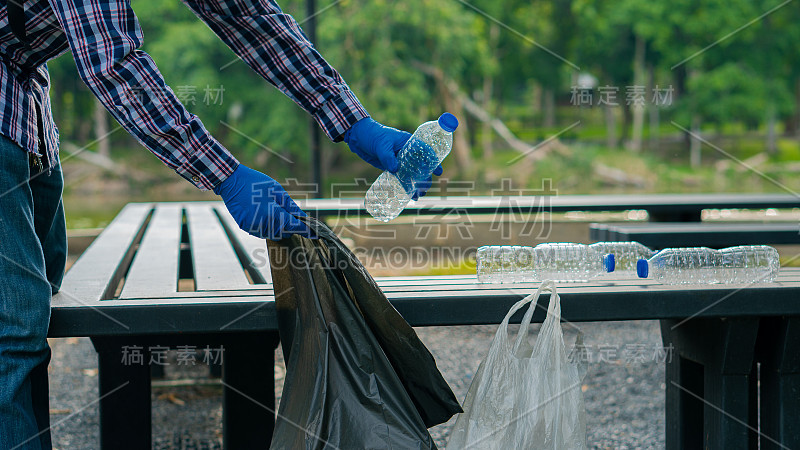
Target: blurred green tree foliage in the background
{"points": [[723, 78]]}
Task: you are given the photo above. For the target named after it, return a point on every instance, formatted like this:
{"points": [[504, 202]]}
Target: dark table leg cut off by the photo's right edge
{"points": [[780, 382]]}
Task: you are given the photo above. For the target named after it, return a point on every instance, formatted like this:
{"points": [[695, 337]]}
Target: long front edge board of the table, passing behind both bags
{"points": [[456, 307]]}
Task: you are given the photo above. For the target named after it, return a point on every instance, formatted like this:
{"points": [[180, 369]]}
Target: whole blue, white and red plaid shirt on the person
{"points": [[104, 36]]}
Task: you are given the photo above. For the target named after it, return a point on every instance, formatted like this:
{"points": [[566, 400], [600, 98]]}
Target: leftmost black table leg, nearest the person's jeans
{"points": [[125, 411]]}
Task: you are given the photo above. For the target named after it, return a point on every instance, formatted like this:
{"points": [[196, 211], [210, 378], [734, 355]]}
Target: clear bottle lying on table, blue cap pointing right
{"points": [[549, 261]]}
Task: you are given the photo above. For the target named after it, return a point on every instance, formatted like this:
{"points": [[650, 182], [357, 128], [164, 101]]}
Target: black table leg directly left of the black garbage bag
{"points": [[248, 395]]}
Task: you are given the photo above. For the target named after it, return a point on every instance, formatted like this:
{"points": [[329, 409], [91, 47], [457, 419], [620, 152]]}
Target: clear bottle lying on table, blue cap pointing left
{"points": [[701, 265]]}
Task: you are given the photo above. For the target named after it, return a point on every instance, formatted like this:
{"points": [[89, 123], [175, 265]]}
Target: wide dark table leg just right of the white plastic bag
{"points": [[708, 382]]}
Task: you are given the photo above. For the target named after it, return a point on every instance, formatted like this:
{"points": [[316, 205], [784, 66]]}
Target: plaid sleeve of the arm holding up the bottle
{"points": [[273, 45]]}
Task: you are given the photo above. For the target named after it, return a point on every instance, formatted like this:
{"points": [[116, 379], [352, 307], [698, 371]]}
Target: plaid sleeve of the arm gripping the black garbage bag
{"points": [[105, 36]]}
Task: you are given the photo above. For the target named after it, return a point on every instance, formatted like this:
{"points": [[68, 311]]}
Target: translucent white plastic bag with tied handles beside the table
{"points": [[523, 396]]}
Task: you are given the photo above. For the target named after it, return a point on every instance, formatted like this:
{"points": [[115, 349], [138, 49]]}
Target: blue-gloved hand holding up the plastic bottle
{"points": [[378, 145]]}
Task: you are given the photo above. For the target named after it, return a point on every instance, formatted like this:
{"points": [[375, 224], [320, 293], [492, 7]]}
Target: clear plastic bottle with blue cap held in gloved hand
{"points": [[426, 149]]}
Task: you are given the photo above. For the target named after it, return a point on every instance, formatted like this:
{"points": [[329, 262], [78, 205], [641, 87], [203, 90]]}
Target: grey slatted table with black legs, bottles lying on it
{"points": [[124, 292]]}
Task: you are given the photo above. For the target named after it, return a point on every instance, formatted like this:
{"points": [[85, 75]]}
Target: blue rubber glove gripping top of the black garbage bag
{"points": [[260, 205]]}
